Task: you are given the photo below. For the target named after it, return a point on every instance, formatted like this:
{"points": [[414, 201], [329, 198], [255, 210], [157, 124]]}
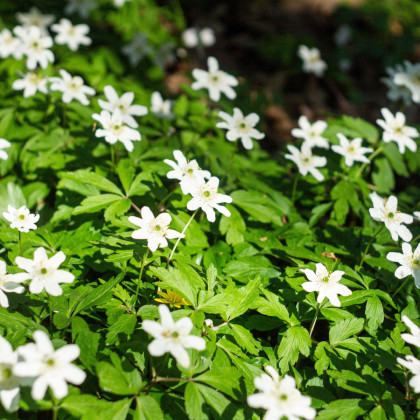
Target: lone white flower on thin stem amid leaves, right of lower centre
{"points": [[327, 284]]}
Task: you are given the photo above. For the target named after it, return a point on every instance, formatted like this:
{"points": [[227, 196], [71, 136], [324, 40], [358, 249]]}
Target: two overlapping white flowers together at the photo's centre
{"points": [[193, 181]]}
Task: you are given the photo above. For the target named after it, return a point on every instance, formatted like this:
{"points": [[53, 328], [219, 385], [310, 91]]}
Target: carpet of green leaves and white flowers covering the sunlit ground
{"points": [[159, 262]]}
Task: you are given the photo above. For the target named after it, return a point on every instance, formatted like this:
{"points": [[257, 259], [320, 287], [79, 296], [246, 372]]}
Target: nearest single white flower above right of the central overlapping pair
{"points": [[240, 127]]}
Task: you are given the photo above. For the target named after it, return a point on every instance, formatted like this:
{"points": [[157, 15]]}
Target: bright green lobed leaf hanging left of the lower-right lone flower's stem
{"points": [[296, 341]]}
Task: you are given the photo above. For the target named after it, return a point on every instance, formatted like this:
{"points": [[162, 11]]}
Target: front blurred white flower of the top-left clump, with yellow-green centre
{"points": [[35, 45]]}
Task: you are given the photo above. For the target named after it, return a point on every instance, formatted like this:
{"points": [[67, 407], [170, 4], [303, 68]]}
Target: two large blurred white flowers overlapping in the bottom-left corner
{"points": [[37, 365]]}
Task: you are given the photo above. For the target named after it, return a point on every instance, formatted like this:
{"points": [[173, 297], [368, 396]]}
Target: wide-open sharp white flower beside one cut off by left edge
{"points": [[43, 272]]}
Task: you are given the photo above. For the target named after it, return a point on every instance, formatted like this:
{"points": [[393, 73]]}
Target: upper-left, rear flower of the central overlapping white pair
{"points": [[189, 173]]}
